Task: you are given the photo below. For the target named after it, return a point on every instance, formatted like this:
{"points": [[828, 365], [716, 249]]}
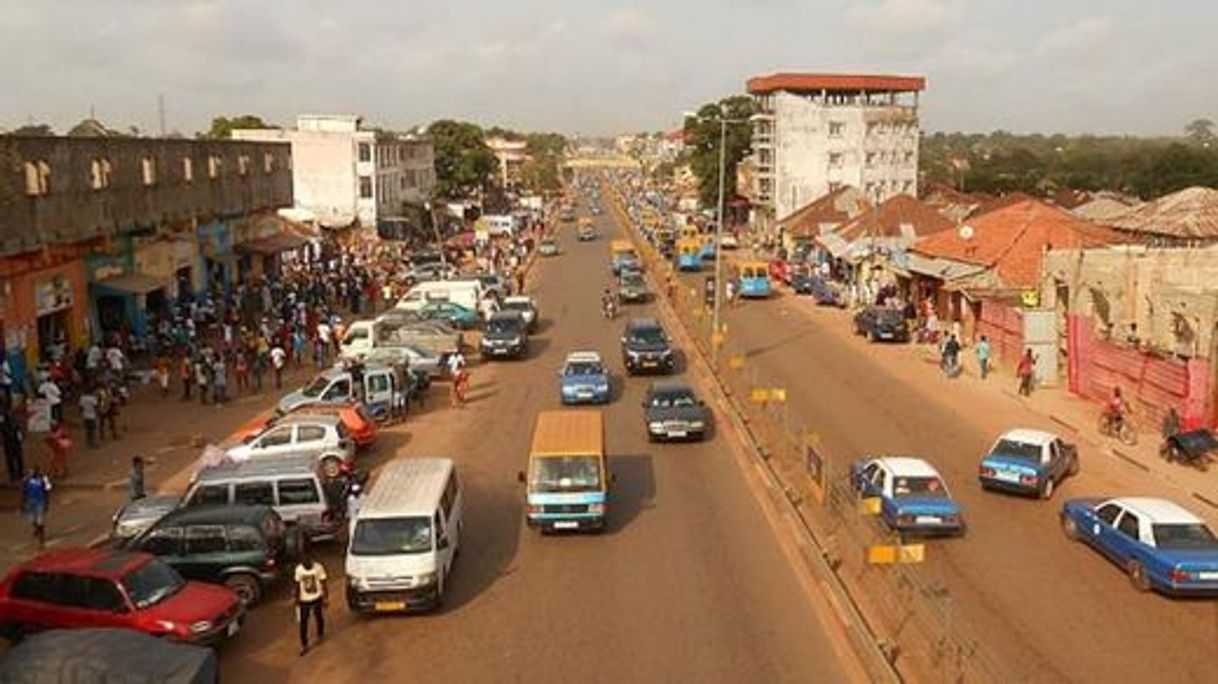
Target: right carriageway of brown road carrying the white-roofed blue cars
{"points": [[1052, 609]]}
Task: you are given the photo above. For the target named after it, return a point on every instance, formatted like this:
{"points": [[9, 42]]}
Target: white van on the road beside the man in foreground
{"points": [[405, 539]]}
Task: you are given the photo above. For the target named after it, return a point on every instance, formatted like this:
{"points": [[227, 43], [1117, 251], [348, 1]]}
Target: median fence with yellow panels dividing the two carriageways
{"points": [[923, 635]]}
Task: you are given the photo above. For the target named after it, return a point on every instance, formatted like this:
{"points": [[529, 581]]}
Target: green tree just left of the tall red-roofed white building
{"points": [[702, 145]]}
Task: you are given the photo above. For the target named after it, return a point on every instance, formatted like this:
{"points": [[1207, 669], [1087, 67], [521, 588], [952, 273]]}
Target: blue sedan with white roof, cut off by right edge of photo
{"points": [[1159, 543]]}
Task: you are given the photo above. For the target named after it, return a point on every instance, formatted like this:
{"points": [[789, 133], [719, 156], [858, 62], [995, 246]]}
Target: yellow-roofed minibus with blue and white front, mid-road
{"points": [[568, 478]]}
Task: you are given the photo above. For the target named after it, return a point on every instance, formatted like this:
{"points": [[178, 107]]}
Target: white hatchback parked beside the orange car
{"points": [[322, 438]]}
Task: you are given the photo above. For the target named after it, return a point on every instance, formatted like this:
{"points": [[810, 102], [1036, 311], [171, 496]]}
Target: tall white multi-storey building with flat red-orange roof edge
{"points": [[815, 133]]}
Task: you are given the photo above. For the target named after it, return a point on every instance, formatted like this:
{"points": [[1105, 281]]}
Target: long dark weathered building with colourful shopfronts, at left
{"points": [[99, 234]]}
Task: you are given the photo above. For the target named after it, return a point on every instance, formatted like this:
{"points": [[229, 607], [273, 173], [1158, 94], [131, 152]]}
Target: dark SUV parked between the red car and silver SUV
{"points": [[244, 548]]}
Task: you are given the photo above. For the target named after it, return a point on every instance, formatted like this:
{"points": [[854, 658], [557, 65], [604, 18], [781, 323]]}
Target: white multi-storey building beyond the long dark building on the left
{"points": [[344, 173]]}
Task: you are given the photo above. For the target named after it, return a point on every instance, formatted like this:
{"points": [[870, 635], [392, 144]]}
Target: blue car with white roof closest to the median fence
{"points": [[913, 496]]}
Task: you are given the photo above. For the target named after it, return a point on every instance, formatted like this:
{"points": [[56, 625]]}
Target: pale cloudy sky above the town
{"points": [[600, 68]]}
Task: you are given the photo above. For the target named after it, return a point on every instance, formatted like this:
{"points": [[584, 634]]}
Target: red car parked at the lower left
{"points": [[76, 588]]}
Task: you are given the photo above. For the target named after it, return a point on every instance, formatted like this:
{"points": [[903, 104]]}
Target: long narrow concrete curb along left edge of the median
{"points": [[865, 643]]}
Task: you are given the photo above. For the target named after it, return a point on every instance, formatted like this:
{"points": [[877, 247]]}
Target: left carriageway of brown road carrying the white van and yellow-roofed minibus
{"points": [[690, 582]]}
